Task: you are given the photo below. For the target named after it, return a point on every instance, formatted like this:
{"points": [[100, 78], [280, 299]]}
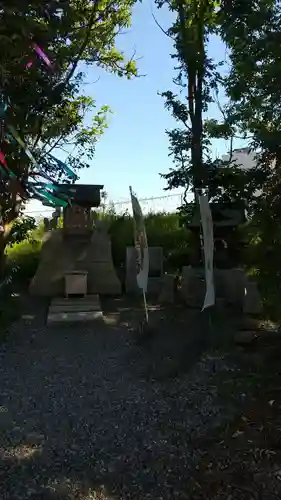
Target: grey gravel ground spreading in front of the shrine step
{"points": [[78, 422]]}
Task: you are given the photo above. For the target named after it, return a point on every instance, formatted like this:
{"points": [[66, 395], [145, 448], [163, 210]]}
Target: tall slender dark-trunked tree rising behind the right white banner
{"points": [[190, 143]]}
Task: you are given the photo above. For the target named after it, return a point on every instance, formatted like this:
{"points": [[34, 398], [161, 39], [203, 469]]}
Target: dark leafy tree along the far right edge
{"points": [[251, 31]]}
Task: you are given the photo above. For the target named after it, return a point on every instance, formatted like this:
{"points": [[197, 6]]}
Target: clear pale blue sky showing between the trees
{"points": [[134, 149]]}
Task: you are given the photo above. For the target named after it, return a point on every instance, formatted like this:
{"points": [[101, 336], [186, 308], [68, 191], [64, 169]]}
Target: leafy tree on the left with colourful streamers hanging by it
{"points": [[44, 104]]}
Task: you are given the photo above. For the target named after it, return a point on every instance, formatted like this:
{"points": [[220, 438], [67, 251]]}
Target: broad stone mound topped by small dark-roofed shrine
{"points": [[77, 246]]}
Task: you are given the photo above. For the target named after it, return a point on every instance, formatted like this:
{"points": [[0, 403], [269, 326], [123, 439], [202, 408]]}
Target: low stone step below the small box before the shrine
{"points": [[68, 310]]}
